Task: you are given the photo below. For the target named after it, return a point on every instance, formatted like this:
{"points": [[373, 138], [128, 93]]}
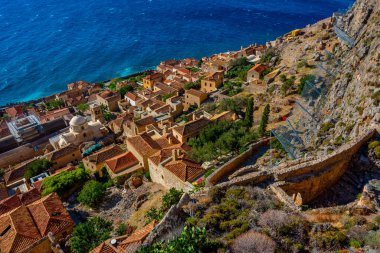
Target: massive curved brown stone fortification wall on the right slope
{"points": [[304, 180]]}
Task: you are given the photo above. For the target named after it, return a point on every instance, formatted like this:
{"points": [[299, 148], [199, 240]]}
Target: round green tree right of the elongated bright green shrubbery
{"points": [[92, 192]]}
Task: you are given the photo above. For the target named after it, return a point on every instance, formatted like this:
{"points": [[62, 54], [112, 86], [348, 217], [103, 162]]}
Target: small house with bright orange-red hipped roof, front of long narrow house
{"points": [[122, 165]]}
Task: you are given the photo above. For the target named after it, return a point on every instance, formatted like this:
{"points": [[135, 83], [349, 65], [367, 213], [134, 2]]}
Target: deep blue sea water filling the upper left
{"points": [[45, 44]]}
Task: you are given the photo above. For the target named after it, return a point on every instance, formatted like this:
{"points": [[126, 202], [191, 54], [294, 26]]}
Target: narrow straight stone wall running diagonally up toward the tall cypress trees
{"points": [[228, 167]]}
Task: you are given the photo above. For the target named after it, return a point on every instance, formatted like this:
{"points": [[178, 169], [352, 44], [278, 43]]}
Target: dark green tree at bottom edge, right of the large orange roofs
{"points": [[88, 235]]}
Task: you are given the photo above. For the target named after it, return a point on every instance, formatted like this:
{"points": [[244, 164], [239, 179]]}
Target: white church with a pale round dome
{"points": [[80, 131]]}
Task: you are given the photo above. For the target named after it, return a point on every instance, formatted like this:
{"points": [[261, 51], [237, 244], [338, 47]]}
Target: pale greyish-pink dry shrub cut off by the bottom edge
{"points": [[254, 242]]}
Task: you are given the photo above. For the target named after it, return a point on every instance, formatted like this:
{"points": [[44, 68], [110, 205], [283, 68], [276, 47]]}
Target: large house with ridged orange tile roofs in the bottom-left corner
{"points": [[29, 228]]}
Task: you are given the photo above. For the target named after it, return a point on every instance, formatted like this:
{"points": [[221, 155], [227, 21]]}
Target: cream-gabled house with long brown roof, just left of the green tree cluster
{"points": [[184, 132]]}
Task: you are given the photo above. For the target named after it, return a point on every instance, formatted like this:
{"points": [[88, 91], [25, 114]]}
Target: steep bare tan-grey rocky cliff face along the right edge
{"points": [[353, 98]]}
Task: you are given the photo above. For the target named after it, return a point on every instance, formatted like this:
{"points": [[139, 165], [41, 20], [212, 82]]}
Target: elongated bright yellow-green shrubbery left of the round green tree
{"points": [[64, 181]]}
